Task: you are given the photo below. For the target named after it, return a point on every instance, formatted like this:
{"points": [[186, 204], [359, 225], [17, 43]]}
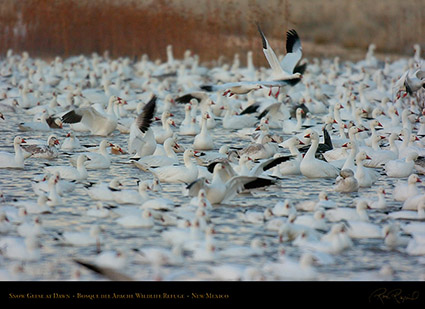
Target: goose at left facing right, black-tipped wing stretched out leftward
{"points": [[102, 124]]}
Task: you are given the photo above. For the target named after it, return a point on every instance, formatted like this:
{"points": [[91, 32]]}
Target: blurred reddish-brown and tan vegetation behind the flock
{"points": [[345, 28]]}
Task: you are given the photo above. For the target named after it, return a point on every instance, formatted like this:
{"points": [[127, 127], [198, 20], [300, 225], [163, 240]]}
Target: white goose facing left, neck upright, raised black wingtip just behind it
{"points": [[312, 167]]}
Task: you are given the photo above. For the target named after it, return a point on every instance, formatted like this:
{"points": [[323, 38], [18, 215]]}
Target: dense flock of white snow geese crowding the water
{"points": [[354, 124]]}
